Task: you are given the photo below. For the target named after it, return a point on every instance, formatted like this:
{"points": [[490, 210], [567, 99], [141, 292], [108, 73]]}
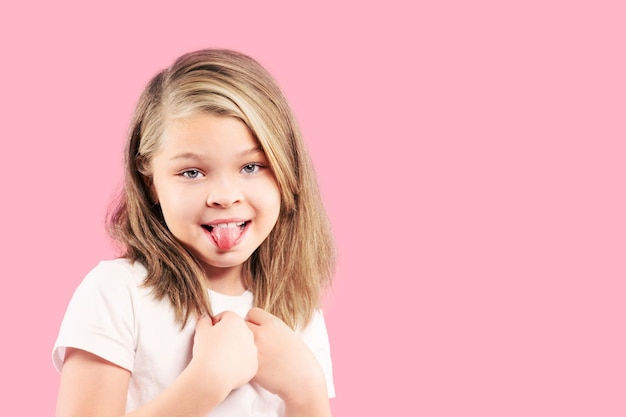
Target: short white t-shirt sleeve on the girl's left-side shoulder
{"points": [[100, 317]]}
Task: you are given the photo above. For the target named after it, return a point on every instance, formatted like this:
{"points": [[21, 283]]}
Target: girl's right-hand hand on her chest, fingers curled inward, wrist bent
{"points": [[287, 367]]}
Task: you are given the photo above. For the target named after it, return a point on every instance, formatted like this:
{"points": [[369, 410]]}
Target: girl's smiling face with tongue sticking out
{"points": [[217, 192]]}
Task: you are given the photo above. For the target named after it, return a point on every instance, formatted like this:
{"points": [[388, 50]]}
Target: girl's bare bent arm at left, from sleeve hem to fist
{"points": [[224, 358]]}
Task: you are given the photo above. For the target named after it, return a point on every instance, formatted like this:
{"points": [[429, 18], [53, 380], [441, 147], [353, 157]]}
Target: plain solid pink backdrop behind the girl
{"points": [[471, 155]]}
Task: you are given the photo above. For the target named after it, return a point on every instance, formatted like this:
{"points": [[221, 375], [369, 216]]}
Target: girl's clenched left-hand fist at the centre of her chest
{"points": [[224, 348]]}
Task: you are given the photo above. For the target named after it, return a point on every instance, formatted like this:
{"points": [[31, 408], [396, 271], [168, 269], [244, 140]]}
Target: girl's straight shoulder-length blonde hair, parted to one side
{"points": [[289, 270]]}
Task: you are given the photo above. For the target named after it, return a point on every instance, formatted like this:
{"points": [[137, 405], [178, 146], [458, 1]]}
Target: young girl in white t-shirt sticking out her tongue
{"points": [[213, 310]]}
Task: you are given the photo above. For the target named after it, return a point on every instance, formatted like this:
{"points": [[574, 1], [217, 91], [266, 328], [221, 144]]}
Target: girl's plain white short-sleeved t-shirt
{"points": [[113, 316]]}
